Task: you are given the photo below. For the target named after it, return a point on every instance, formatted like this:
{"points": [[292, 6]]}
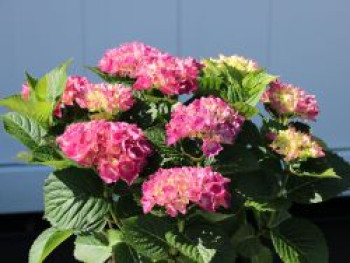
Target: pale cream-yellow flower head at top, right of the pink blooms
{"points": [[238, 62]]}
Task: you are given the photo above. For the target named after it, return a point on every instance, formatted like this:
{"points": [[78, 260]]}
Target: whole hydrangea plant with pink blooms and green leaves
{"points": [[143, 174]]}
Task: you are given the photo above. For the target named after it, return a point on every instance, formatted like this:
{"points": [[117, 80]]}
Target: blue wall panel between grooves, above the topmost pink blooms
{"points": [[112, 23]]}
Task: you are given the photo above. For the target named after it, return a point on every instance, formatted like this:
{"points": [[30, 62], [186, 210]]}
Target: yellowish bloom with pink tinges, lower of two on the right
{"points": [[293, 144]]}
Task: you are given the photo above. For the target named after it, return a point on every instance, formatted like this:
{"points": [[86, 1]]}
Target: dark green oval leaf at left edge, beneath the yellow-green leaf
{"points": [[24, 129]]}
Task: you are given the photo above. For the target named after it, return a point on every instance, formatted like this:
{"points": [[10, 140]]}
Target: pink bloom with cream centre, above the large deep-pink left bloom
{"points": [[107, 98]]}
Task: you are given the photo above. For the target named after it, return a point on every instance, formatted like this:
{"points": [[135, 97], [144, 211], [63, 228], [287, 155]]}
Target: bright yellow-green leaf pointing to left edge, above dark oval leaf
{"points": [[38, 111]]}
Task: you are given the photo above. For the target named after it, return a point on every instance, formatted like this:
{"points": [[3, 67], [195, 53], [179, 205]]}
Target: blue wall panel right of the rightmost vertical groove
{"points": [[310, 46]]}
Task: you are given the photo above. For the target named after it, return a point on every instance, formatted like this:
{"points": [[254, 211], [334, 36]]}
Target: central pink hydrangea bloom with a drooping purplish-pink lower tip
{"points": [[210, 119]]}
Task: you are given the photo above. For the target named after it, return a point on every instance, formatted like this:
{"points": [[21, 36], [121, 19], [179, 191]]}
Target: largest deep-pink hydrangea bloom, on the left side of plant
{"points": [[117, 150]]}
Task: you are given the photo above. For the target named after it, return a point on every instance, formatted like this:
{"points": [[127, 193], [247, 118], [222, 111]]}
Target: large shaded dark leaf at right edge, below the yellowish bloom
{"points": [[310, 190]]}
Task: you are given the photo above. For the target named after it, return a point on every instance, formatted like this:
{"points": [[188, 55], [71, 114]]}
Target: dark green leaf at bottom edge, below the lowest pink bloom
{"points": [[146, 234]]}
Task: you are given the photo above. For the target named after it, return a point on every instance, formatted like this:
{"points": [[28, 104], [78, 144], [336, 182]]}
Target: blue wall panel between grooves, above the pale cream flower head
{"points": [[229, 27]]}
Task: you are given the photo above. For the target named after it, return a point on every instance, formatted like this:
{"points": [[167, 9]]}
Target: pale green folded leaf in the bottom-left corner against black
{"points": [[45, 243]]}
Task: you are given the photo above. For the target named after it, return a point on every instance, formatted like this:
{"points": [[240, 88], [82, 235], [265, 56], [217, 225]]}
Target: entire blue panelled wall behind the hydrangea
{"points": [[305, 42]]}
